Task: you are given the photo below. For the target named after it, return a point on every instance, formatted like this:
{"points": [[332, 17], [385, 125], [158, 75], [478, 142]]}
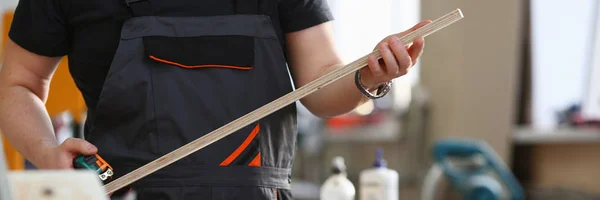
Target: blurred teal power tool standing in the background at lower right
{"points": [[473, 169]]}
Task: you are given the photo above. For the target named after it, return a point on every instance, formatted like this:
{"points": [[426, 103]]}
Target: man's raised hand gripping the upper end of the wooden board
{"points": [[396, 61]]}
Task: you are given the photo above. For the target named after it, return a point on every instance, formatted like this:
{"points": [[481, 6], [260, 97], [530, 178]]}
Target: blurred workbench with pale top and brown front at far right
{"points": [[565, 159]]}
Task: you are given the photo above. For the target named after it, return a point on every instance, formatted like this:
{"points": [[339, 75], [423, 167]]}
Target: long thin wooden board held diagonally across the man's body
{"points": [[271, 107]]}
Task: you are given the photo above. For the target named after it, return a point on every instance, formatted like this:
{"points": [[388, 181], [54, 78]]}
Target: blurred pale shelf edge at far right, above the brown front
{"points": [[528, 135]]}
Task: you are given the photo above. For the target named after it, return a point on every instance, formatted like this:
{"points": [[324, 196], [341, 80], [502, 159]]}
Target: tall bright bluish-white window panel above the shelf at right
{"points": [[561, 43]]}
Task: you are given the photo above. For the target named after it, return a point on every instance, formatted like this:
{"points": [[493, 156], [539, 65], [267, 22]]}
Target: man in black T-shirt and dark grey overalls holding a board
{"points": [[156, 75]]}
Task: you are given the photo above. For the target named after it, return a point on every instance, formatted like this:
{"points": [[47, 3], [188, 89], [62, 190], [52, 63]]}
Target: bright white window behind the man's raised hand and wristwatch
{"points": [[360, 25]]}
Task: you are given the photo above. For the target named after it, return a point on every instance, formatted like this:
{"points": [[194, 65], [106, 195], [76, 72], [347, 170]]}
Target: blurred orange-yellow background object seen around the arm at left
{"points": [[63, 96]]}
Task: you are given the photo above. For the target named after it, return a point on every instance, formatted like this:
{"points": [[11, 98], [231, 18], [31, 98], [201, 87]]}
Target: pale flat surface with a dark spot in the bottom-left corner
{"points": [[56, 185]]}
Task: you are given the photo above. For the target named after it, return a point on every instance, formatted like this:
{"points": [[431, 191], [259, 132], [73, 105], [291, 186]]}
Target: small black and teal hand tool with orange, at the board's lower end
{"points": [[94, 163]]}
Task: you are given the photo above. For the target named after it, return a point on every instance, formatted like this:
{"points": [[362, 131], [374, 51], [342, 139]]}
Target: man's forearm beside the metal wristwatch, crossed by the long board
{"points": [[337, 98]]}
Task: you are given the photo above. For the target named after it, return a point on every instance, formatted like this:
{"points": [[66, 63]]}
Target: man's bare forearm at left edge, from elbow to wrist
{"points": [[25, 122]]}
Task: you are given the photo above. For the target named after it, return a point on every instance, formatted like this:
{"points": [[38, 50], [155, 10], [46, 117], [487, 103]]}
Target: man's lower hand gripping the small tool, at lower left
{"points": [[62, 156]]}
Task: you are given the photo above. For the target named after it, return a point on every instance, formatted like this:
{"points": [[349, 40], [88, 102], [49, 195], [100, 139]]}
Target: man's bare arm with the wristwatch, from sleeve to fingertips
{"points": [[312, 55]]}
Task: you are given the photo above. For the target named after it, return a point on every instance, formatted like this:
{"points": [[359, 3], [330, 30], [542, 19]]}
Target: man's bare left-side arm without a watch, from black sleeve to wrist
{"points": [[24, 84]]}
